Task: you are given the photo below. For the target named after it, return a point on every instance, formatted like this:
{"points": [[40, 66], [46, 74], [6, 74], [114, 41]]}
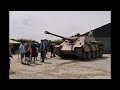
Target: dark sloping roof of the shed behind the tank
{"points": [[103, 31]]}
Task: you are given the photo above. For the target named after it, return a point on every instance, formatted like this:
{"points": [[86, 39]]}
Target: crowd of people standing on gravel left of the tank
{"points": [[28, 51]]}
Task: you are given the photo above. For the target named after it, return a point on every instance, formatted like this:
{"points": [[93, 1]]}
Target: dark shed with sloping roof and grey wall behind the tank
{"points": [[103, 33]]}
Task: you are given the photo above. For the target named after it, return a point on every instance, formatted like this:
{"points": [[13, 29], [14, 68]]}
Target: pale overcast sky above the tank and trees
{"points": [[32, 24]]}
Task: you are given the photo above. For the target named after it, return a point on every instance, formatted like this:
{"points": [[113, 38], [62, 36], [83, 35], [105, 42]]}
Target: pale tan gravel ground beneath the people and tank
{"points": [[57, 68]]}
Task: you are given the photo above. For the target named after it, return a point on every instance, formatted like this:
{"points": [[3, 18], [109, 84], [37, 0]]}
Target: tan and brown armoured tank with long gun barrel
{"points": [[84, 47]]}
